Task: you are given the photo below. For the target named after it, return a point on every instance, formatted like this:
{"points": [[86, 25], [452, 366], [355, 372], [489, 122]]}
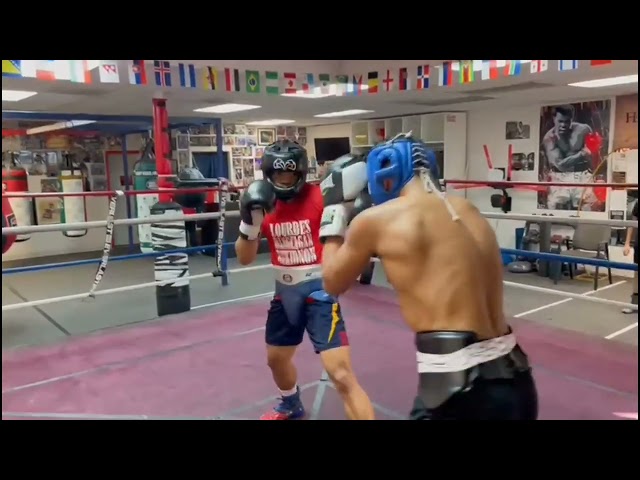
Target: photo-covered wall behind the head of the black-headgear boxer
{"points": [[245, 143]]}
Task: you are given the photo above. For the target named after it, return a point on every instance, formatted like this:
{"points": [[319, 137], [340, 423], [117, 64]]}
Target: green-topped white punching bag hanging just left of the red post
{"points": [[145, 177]]}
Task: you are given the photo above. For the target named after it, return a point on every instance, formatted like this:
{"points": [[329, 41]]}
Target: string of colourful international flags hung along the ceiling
{"points": [[161, 73]]}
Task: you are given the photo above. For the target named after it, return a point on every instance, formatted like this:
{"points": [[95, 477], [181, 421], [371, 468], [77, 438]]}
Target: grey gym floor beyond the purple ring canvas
{"points": [[51, 323]]}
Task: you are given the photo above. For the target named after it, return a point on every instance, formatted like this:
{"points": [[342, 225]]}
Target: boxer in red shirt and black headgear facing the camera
{"points": [[286, 210]]}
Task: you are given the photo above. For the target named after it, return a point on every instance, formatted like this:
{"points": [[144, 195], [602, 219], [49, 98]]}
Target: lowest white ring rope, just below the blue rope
{"points": [[67, 298]]}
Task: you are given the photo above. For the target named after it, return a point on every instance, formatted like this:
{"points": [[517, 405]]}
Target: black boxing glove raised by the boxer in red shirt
{"points": [[258, 199]]}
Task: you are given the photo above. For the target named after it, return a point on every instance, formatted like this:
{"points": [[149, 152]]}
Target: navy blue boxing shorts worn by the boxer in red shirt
{"points": [[300, 304]]}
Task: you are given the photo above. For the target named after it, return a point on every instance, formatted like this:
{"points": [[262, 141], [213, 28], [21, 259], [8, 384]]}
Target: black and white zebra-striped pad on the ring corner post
{"points": [[174, 297]]}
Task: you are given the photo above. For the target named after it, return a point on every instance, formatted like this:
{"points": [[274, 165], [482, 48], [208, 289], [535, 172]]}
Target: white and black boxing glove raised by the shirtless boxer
{"points": [[346, 179]]}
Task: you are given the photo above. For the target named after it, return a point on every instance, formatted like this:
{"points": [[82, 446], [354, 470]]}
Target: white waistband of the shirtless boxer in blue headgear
{"points": [[468, 357]]}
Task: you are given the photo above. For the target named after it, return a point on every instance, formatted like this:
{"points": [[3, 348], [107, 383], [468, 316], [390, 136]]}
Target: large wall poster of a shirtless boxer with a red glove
{"points": [[574, 142]]}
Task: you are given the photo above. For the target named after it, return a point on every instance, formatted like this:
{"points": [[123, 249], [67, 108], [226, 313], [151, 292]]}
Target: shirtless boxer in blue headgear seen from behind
{"points": [[442, 258]]}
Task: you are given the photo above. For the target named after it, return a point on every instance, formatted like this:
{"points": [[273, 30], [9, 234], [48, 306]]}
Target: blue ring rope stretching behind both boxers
{"points": [[509, 251]]}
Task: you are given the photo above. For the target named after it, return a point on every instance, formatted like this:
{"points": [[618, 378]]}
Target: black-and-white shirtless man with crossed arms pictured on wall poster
{"points": [[568, 159]]}
